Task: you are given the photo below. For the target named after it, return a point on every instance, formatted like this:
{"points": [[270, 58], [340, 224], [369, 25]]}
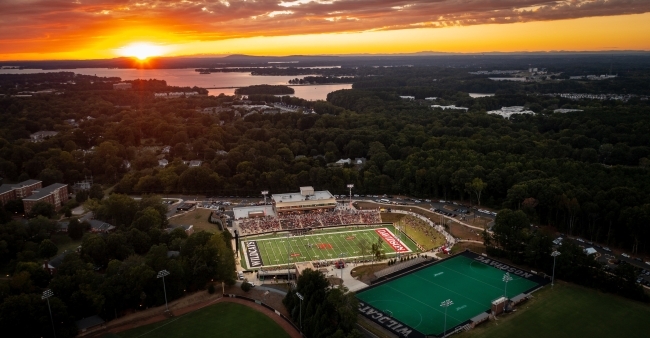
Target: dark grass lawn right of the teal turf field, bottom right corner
{"points": [[570, 311]]}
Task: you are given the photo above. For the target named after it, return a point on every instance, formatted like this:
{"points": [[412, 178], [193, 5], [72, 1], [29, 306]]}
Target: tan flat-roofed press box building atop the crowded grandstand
{"points": [[306, 200]]}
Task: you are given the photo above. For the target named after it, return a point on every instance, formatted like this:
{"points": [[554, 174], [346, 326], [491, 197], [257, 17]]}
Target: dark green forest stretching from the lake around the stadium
{"points": [[583, 173]]}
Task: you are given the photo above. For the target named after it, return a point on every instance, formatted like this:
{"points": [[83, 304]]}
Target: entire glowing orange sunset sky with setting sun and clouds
{"points": [[87, 29]]}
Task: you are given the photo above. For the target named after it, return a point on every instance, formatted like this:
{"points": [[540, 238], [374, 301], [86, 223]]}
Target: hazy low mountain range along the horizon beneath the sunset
{"points": [[424, 58]]}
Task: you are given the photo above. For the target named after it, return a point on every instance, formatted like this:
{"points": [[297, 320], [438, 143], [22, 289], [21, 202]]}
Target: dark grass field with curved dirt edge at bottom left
{"points": [[218, 320]]}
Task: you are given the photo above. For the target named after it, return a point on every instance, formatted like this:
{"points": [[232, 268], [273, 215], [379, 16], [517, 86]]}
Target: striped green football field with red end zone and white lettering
{"points": [[331, 245]]}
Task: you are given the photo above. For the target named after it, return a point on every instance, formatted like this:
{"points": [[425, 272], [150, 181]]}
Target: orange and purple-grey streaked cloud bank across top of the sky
{"points": [[56, 26]]}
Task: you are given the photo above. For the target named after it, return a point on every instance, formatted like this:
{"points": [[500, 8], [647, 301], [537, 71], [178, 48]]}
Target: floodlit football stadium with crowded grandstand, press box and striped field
{"points": [[310, 226]]}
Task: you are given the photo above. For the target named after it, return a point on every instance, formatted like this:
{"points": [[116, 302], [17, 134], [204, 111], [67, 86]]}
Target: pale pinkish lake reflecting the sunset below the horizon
{"points": [[190, 78]]}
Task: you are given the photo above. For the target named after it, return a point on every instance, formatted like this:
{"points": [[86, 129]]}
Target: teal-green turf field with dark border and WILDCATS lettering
{"points": [[470, 281]]}
